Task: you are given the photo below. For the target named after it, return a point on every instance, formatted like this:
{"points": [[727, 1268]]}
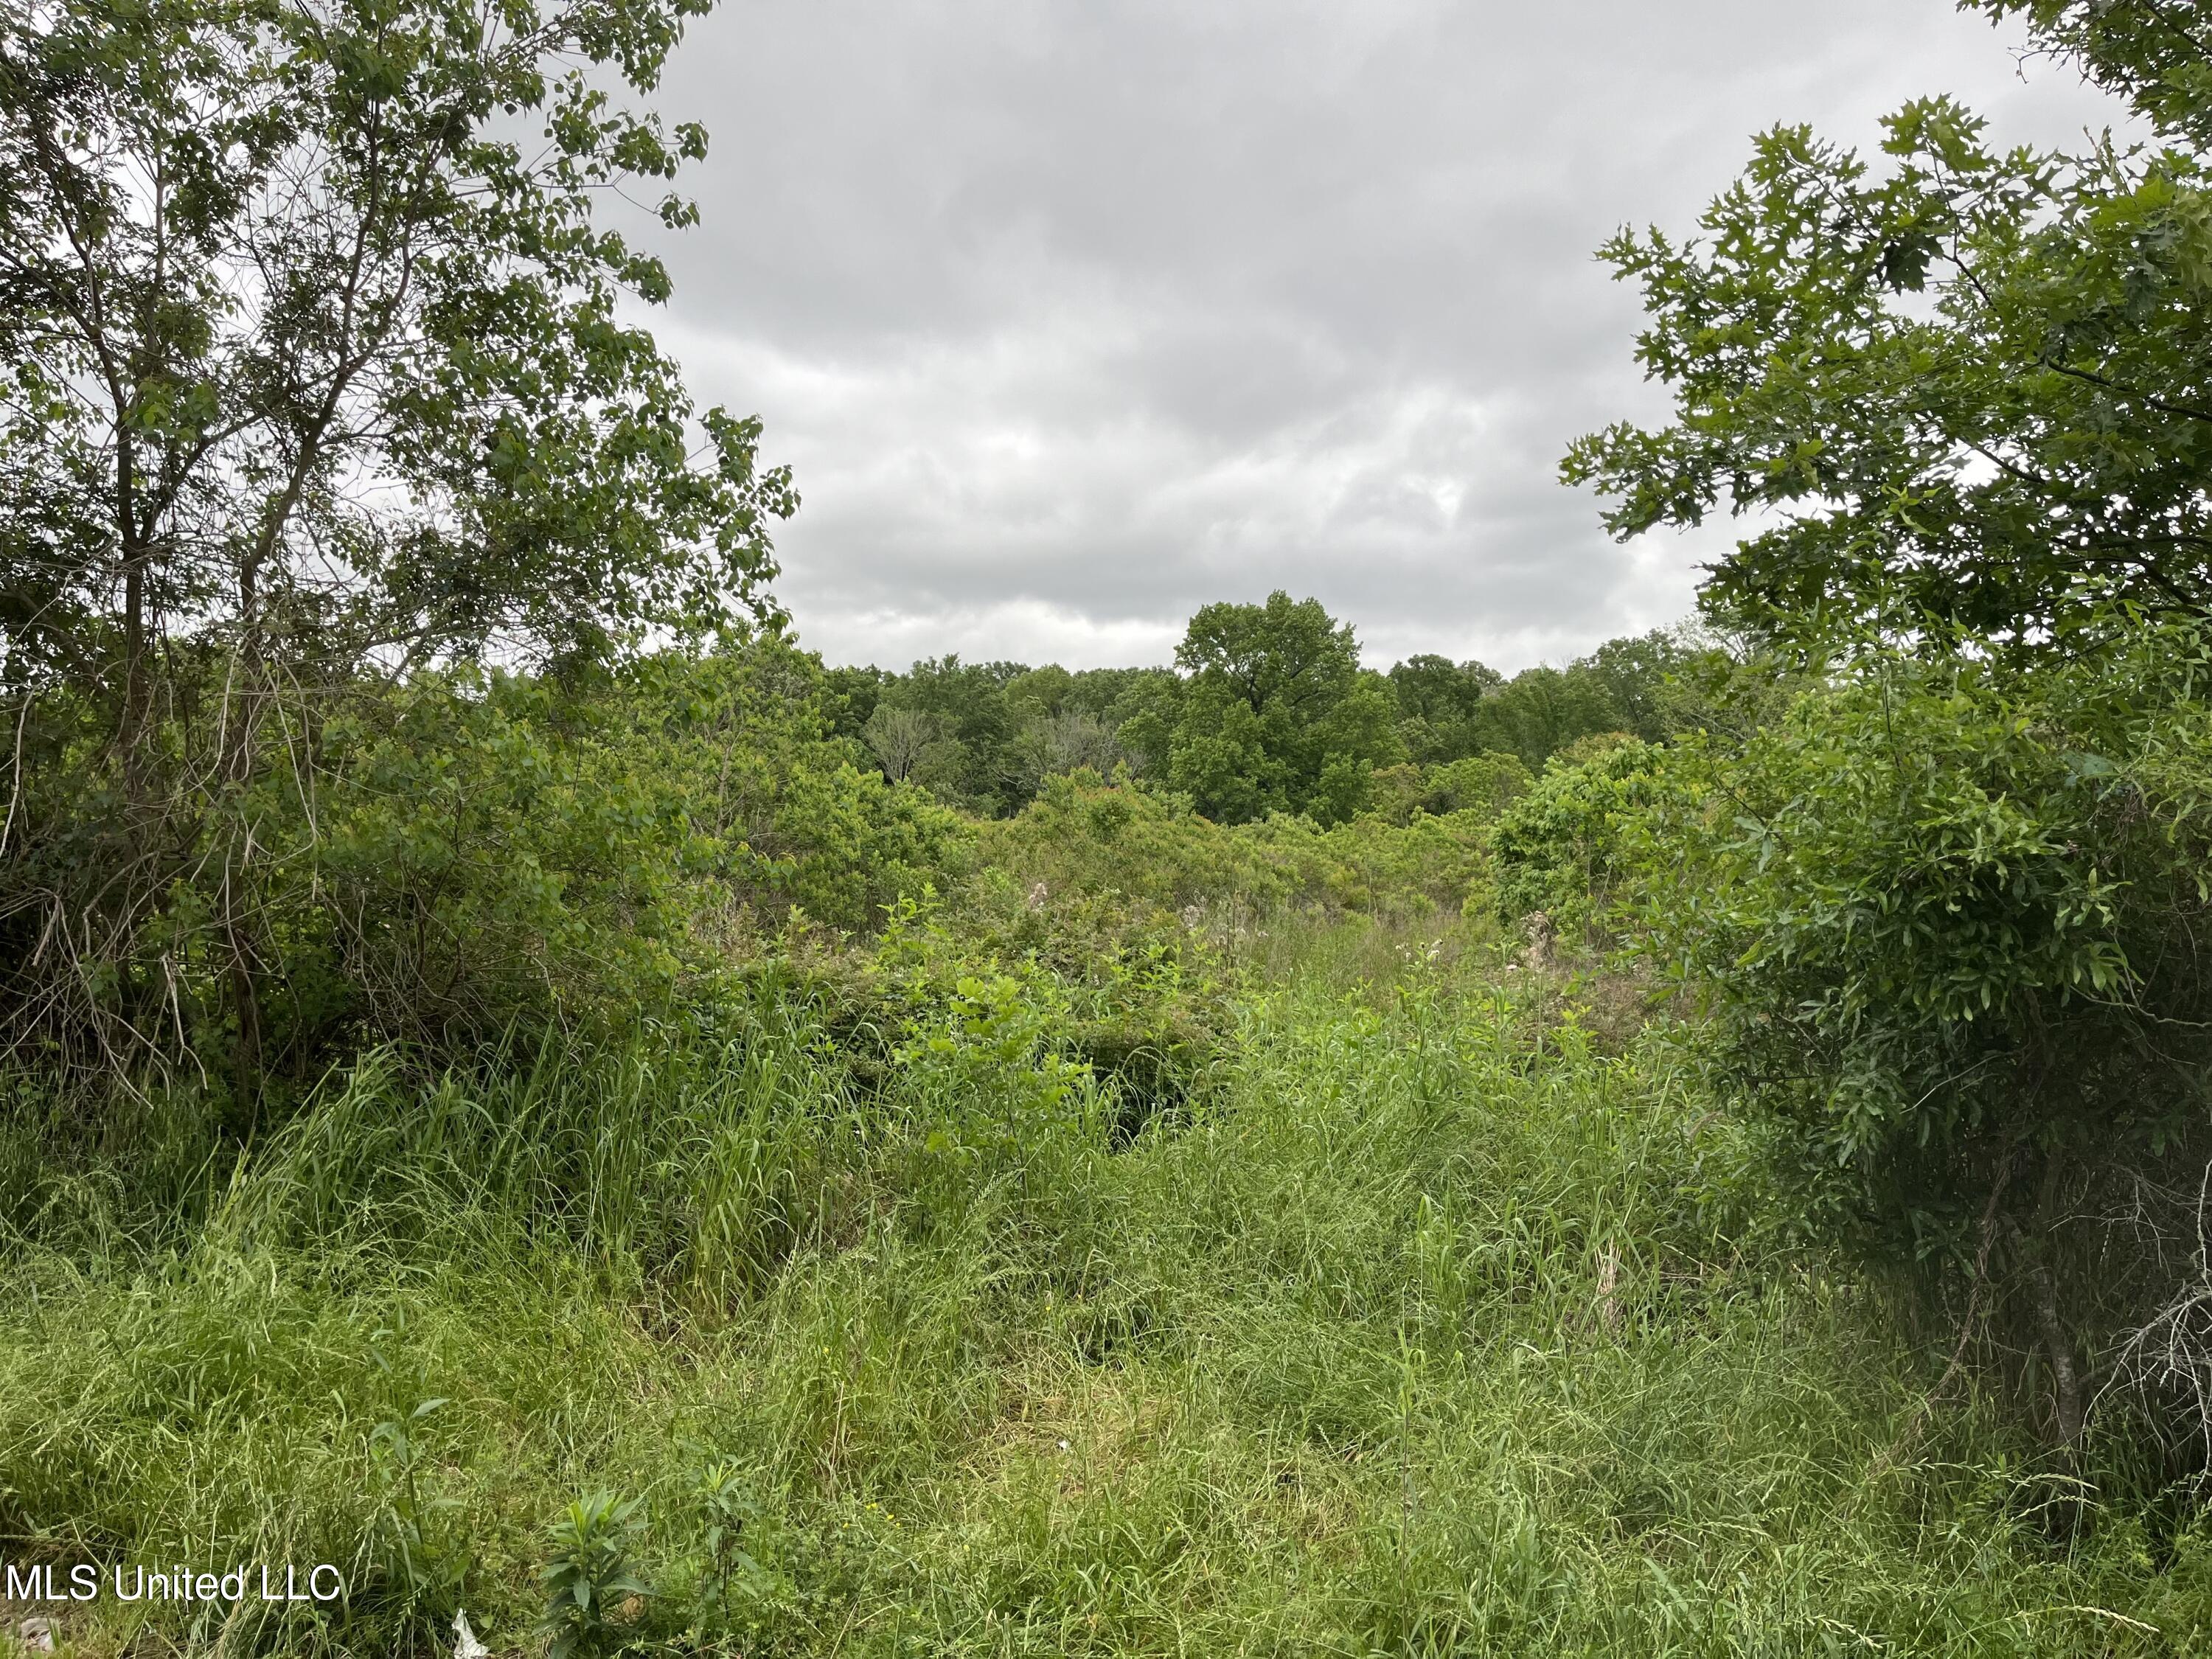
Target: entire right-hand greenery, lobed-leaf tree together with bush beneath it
{"points": [[1948, 908]]}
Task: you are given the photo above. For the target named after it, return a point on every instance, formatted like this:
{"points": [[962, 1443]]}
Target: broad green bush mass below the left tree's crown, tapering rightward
{"points": [[494, 848]]}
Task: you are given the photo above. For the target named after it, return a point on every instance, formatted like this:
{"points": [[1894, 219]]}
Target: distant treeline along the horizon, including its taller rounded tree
{"points": [[1266, 711]]}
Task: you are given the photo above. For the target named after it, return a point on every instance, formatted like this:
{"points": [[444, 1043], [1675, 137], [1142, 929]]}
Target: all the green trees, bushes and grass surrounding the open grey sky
{"points": [[525, 1087]]}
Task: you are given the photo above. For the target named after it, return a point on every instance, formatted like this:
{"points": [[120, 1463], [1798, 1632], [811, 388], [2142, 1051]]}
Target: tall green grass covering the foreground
{"points": [[1421, 1333]]}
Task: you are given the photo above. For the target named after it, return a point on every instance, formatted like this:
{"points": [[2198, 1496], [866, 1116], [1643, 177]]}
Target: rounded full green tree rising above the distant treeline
{"points": [[1275, 713]]}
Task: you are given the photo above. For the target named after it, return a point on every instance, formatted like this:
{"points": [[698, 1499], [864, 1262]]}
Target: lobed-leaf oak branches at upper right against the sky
{"points": [[1972, 388]]}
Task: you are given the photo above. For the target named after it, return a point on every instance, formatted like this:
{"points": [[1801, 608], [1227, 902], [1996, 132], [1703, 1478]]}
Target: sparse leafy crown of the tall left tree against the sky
{"points": [[435, 313]]}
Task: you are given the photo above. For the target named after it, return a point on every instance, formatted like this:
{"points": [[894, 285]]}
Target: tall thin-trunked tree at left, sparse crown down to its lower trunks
{"points": [[311, 368]]}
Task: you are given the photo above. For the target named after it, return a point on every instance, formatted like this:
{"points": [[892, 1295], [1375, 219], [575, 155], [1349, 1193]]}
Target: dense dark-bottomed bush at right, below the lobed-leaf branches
{"points": [[1948, 921]]}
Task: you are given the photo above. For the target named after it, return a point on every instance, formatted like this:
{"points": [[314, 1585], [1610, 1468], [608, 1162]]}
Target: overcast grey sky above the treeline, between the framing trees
{"points": [[1074, 315]]}
